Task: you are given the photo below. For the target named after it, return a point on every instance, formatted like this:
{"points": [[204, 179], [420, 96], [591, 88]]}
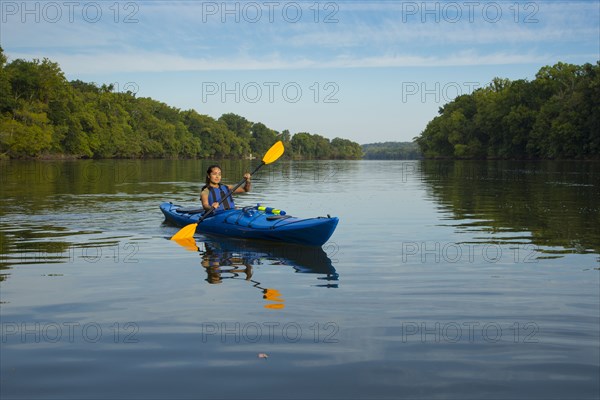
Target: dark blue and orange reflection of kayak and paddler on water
{"points": [[235, 259]]}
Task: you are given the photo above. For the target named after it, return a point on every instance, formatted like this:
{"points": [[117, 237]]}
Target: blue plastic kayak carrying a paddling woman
{"points": [[255, 223]]}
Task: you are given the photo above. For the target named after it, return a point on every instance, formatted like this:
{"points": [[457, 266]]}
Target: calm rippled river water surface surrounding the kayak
{"points": [[442, 280]]}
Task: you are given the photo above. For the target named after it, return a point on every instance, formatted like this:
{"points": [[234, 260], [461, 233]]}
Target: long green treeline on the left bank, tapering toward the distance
{"points": [[44, 115]]}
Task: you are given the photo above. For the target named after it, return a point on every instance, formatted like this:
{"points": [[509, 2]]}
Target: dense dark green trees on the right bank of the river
{"points": [[555, 116]]}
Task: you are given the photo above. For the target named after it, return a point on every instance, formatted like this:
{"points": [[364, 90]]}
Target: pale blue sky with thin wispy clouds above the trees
{"points": [[369, 71]]}
